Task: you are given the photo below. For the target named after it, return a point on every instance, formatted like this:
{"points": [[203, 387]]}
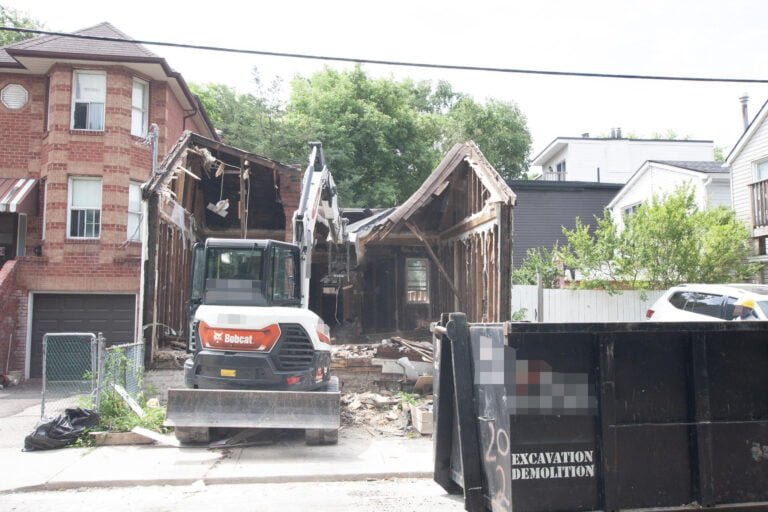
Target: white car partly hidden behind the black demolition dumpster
{"points": [[708, 302]]}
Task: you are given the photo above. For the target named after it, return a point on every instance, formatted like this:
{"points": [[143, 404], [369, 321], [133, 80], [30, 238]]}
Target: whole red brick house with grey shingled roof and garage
{"points": [[74, 115]]}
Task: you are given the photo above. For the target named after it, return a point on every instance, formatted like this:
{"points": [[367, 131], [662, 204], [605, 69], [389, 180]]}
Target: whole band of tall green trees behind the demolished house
{"points": [[381, 137]]}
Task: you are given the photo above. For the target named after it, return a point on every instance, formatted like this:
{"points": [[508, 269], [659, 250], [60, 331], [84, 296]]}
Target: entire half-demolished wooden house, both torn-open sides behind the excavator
{"points": [[448, 248]]}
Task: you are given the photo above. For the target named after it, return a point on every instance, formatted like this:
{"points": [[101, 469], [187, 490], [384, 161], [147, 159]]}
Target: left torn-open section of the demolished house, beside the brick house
{"points": [[203, 189]]}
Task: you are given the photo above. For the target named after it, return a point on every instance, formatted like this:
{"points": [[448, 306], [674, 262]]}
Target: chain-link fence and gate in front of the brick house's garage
{"points": [[78, 368]]}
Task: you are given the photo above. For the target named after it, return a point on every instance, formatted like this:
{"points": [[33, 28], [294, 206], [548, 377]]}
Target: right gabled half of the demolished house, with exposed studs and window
{"points": [[448, 248]]}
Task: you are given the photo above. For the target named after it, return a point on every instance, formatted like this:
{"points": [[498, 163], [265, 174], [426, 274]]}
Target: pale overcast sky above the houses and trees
{"points": [[713, 38]]}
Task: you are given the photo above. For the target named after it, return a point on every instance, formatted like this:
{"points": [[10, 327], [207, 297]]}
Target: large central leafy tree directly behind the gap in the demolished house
{"points": [[379, 134]]}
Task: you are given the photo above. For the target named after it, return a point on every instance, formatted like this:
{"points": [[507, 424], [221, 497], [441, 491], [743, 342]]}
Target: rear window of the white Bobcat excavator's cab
{"points": [[234, 276]]}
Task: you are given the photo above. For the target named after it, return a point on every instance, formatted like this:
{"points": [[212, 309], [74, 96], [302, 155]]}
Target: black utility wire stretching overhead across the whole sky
{"points": [[424, 65]]}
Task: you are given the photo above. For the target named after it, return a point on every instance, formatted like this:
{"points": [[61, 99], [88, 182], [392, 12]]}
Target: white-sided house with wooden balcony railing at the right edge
{"points": [[749, 182]]}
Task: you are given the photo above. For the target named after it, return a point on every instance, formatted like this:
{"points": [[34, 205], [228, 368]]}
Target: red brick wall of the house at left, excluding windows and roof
{"points": [[30, 147]]}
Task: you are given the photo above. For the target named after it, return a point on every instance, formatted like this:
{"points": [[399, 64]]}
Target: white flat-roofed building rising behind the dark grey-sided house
{"points": [[613, 160]]}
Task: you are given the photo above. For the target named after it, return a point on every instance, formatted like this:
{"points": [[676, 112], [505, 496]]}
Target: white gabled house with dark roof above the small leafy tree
{"points": [[710, 182]]}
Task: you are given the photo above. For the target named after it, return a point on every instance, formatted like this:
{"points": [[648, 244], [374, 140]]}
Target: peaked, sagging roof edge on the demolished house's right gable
{"points": [[379, 226]]}
